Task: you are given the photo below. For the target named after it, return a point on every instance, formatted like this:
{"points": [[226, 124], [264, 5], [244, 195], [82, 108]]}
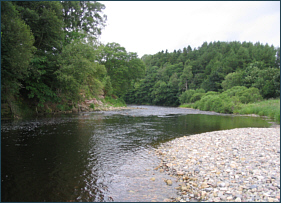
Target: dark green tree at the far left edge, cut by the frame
{"points": [[16, 50]]}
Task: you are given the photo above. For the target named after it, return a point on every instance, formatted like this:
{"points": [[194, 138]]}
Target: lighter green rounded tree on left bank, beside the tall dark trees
{"points": [[78, 72]]}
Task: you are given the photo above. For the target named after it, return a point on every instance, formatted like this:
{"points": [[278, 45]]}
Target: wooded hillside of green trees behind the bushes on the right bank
{"points": [[184, 76]]}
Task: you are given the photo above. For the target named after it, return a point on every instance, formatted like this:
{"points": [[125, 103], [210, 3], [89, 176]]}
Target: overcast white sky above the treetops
{"points": [[147, 27]]}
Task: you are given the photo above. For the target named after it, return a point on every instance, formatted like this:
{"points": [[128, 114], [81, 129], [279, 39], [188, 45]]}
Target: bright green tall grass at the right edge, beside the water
{"points": [[269, 108]]}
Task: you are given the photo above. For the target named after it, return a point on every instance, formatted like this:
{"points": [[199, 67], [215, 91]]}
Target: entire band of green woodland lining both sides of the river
{"points": [[51, 59]]}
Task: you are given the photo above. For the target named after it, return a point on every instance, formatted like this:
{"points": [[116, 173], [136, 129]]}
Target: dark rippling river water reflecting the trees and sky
{"points": [[100, 156]]}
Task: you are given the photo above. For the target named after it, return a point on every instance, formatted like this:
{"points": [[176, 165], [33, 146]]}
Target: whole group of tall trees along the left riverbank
{"points": [[50, 55]]}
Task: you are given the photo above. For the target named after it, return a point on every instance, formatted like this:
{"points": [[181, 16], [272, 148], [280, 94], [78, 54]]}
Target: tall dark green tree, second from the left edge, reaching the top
{"points": [[45, 21]]}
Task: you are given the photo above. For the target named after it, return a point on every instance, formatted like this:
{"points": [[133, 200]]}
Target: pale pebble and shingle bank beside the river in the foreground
{"points": [[237, 165]]}
